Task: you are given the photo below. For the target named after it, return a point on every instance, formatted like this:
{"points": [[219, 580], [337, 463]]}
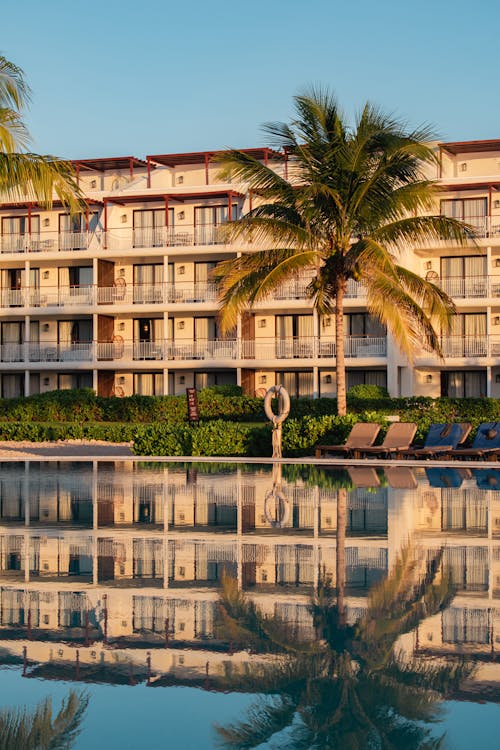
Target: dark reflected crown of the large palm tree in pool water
{"points": [[353, 688]]}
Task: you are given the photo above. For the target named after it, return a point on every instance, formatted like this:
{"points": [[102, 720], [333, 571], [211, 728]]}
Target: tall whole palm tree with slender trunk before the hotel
{"points": [[353, 200]]}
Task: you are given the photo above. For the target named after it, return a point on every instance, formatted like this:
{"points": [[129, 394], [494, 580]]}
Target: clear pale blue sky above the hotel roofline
{"points": [[132, 77]]}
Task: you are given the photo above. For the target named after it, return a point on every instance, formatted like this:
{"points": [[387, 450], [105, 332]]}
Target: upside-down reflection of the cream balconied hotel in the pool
{"points": [[134, 554]]}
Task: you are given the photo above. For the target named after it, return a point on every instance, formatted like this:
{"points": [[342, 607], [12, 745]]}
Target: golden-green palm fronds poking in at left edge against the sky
{"points": [[25, 176]]}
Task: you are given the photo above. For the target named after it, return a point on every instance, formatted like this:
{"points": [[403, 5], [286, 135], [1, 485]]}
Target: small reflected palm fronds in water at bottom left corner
{"points": [[39, 729]]}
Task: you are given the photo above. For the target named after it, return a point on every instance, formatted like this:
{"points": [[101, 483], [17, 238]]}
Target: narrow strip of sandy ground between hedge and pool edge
{"points": [[63, 448]]}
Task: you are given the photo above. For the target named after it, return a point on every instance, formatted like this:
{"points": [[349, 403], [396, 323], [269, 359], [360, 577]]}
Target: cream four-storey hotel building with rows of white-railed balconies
{"points": [[121, 299]]}
